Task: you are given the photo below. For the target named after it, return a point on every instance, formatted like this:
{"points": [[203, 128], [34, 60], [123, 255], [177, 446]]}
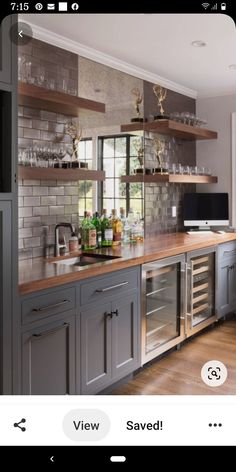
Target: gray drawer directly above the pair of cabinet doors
{"points": [[114, 284]]}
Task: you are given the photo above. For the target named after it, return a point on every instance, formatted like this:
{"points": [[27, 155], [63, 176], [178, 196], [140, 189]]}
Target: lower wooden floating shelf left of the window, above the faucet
{"points": [[37, 173]]}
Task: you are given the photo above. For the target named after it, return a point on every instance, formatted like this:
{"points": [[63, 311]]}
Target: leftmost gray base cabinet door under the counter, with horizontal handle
{"points": [[48, 358]]}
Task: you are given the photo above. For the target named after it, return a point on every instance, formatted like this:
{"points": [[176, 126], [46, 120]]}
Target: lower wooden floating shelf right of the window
{"points": [[171, 178]]}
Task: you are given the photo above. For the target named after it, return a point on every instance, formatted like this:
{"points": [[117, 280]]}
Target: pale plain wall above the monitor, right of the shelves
{"points": [[216, 154]]}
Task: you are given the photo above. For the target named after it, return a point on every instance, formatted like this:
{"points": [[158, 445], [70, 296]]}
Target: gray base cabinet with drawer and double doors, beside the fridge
{"points": [[110, 329]]}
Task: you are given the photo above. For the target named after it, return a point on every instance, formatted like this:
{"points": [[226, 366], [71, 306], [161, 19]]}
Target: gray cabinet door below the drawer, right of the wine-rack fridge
{"points": [[224, 288]]}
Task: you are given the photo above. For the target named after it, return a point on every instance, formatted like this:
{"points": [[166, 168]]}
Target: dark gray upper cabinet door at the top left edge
{"points": [[5, 50]]}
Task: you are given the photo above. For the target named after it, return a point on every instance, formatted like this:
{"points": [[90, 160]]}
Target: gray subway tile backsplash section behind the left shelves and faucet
{"points": [[43, 204]]}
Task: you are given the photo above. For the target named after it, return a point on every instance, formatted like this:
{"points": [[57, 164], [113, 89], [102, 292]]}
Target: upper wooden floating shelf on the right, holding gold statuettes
{"points": [[173, 128]]}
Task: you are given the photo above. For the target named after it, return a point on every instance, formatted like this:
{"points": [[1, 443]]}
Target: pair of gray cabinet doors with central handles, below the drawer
{"points": [[109, 342]]}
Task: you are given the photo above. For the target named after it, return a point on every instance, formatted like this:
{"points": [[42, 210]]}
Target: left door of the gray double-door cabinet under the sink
{"points": [[95, 348]]}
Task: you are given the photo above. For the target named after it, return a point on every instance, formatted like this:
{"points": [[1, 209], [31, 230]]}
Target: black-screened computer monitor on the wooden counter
{"points": [[206, 209]]}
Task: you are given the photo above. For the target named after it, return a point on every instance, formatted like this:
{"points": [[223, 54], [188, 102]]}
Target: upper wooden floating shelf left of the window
{"points": [[58, 102]]}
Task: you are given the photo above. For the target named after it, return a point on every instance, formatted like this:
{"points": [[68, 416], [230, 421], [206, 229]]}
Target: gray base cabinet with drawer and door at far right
{"points": [[226, 283]]}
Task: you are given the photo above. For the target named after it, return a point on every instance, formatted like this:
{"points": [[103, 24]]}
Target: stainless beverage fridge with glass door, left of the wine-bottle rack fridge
{"points": [[163, 317]]}
